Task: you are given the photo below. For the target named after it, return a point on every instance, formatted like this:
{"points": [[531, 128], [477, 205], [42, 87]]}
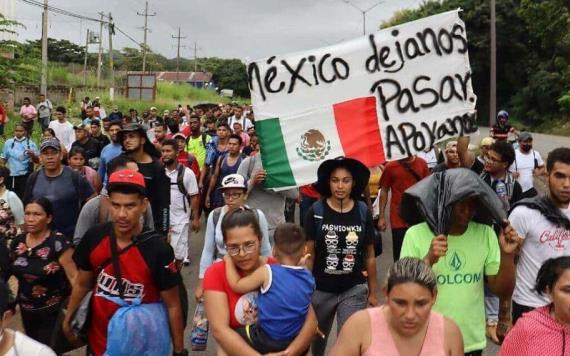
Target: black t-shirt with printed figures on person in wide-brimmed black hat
{"points": [[340, 248]]}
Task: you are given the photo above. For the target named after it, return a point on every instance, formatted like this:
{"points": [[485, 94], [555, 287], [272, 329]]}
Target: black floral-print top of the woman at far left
{"points": [[41, 279]]}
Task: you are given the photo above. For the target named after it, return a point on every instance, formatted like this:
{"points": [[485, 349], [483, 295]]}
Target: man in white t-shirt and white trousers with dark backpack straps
{"points": [[184, 200]]}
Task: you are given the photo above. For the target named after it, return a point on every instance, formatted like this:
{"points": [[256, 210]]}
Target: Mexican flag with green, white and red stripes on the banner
{"points": [[349, 129]]}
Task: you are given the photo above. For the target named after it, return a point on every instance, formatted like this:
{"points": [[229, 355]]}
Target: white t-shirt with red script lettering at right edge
{"points": [[542, 240]]}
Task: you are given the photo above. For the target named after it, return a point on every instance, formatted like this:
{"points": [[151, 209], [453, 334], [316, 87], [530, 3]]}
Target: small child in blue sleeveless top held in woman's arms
{"points": [[285, 292]]}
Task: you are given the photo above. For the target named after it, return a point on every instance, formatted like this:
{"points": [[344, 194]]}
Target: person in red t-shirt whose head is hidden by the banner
{"points": [[397, 177]]}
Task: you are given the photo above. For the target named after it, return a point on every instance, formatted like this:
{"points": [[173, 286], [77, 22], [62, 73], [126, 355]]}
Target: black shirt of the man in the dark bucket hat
{"points": [[158, 189]]}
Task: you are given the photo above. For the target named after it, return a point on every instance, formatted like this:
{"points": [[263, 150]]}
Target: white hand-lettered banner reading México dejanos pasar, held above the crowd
{"points": [[418, 72]]}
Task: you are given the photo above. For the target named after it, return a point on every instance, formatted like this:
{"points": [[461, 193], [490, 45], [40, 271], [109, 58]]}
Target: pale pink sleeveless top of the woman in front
{"points": [[382, 343]]}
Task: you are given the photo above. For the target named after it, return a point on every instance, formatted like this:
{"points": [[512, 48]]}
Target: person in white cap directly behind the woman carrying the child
{"points": [[234, 191]]}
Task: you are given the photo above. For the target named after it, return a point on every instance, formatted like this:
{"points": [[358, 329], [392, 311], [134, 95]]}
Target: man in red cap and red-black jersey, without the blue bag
{"points": [[147, 267]]}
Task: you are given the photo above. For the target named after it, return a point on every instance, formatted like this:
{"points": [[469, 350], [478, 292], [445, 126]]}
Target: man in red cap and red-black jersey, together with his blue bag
{"points": [[121, 262]]}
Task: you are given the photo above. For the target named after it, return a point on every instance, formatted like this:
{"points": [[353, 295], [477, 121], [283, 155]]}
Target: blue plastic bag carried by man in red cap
{"points": [[138, 329]]}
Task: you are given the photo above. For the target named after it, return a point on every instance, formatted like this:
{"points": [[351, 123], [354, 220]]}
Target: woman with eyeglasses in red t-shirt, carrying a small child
{"points": [[228, 310]]}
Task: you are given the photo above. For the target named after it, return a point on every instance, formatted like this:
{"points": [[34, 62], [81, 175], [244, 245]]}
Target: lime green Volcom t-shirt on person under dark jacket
{"points": [[459, 274]]}
